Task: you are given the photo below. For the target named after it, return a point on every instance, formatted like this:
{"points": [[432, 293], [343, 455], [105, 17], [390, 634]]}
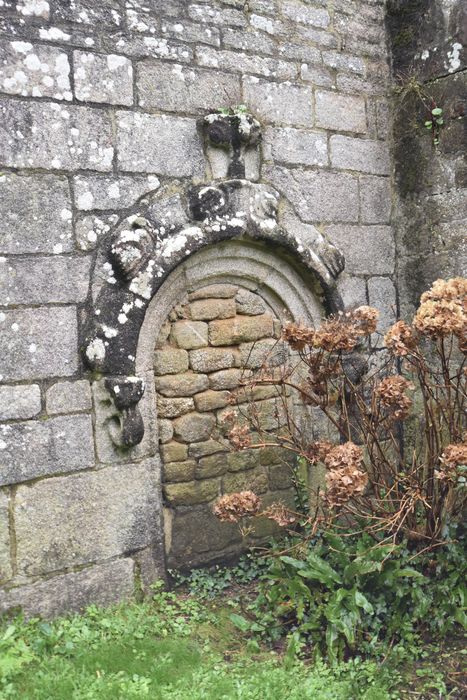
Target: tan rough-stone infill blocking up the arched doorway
{"points": [[205, 354]]}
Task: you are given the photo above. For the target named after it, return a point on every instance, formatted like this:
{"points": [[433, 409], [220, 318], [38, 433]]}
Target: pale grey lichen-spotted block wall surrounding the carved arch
{"points": [[99, 106]]}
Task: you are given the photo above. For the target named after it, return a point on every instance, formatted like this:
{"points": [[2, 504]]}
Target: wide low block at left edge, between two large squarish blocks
{"points": [[42, 280]]}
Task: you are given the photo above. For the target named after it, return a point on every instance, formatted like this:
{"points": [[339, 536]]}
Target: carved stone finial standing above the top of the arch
{"points": [[231, 142]]}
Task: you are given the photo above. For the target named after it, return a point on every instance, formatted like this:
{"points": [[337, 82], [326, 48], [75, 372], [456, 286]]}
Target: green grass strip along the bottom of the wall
{"points": [[173, 647]]}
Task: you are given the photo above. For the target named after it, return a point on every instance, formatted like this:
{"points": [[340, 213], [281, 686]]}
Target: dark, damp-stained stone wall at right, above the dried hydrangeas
{"points": [[428, 41]]}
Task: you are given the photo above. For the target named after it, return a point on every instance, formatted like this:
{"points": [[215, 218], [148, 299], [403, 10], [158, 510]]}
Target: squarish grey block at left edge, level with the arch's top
{"points": [[42, 224]]}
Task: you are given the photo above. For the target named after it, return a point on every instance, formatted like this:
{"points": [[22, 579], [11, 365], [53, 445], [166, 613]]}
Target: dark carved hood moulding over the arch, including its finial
{"points": [[143, 251]]}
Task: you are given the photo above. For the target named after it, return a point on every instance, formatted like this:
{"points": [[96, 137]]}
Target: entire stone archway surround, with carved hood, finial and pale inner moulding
{"points": [[232, 231]]}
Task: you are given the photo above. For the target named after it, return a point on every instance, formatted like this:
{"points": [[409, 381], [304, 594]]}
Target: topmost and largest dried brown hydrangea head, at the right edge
{"points": [[443, 309]]}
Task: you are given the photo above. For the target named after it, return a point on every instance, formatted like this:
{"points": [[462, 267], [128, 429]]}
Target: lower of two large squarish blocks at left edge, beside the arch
{"points": [[36, 343]]}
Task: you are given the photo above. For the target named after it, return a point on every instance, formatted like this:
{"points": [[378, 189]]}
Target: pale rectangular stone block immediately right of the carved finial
{"points": [[297, 146]]}
